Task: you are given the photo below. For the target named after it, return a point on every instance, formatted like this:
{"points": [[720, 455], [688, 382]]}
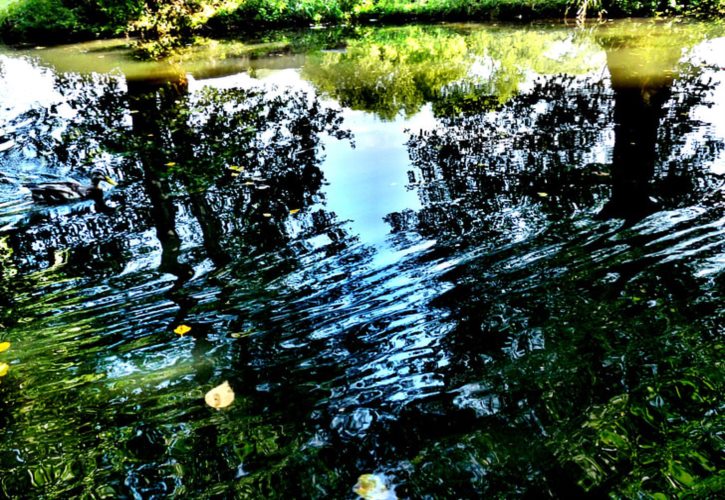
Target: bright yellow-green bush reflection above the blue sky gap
{"points": [[399, 70]]}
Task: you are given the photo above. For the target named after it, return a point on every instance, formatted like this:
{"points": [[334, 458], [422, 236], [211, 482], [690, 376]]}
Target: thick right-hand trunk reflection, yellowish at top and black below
{"points": [[642, 70]]}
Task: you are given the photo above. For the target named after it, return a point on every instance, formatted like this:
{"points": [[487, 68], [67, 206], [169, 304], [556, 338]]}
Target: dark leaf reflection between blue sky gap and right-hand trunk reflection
{"points": [[538, 155]]}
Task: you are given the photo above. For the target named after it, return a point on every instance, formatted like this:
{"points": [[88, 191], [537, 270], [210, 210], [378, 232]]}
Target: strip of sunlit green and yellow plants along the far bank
{"points": [[163, 26]]}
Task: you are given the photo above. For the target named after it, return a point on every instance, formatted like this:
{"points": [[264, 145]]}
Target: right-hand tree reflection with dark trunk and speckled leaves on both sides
{"points": [[543, 157]]}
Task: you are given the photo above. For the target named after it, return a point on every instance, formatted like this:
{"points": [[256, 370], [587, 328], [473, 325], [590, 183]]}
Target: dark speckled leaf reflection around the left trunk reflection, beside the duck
{"points": [[251, 156]]}
